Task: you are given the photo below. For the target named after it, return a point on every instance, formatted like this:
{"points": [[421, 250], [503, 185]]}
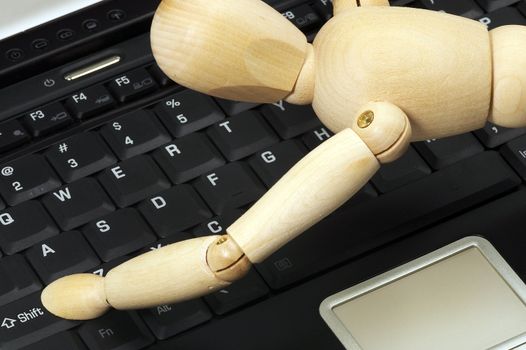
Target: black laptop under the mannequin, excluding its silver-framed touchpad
{"points": [[103, 158]]}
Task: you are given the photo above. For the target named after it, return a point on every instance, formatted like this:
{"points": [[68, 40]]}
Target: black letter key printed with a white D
{"points": [[174, 210]]}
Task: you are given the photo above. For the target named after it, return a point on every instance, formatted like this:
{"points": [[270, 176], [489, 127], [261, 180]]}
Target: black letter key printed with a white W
{"points": [[78, 203]]}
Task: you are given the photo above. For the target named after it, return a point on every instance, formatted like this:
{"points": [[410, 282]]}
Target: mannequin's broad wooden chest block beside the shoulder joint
{"points": [[434, 66]]}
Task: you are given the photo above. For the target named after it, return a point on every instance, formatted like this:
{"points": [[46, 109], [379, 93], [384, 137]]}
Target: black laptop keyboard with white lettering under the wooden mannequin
{"points": [[133, 162]]}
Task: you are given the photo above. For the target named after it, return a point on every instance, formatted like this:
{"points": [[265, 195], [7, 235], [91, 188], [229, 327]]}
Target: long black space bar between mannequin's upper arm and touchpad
{"points": [[389, 217]]}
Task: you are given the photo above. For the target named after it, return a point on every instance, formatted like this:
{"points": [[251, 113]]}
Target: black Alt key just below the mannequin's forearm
{"points": [[168, 320]]}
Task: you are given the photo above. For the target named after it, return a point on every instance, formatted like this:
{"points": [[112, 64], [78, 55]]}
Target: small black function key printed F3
{"points": [[47, 119]]}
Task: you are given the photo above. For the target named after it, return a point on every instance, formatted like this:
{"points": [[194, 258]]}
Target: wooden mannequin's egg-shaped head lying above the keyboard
{"points": [[234, 49]]}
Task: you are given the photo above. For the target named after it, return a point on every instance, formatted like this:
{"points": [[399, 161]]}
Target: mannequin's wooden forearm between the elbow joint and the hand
{"points": [[171, 274]]}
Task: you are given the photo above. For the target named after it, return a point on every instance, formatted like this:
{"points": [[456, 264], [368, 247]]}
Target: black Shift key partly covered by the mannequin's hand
{"points": [[26, 321]]}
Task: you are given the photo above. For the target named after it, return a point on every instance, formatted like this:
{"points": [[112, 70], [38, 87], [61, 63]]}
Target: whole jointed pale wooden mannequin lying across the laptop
{"points": [[378, 76]]}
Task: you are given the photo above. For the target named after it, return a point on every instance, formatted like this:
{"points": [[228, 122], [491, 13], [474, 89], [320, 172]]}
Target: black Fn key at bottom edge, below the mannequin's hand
{"points": [[117, 330]]}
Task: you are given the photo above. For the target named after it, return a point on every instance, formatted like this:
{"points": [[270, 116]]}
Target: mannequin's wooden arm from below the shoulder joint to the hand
{"points": [[311, 190]]}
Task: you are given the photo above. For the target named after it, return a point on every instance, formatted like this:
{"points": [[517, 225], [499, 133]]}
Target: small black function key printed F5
{"points": [[132, 85]]}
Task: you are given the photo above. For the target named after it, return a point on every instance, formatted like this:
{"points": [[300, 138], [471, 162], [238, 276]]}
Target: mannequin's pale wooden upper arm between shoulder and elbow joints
{"points": [[317, 185]]}
